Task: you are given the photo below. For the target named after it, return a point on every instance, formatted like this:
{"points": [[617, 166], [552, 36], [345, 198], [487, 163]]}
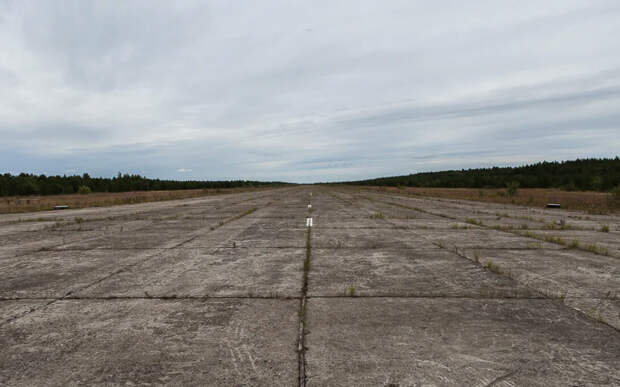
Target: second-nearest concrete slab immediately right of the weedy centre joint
{"points": [[405, 273]]}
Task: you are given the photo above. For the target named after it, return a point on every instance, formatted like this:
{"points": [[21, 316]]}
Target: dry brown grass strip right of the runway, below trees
{"points": [[590, 202]]}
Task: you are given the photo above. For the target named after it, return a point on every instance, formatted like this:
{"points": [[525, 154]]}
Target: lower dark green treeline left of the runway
{"points": [[30, 184]]}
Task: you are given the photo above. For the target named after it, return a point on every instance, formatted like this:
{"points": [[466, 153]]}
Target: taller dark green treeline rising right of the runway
{"points": [[581, 174]]}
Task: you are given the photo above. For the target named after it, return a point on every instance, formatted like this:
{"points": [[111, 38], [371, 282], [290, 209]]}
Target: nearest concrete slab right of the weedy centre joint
{"points": [[416, 342]]}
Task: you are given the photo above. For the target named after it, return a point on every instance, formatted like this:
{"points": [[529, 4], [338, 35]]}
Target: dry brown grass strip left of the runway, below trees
{"points": [[14, 204]]}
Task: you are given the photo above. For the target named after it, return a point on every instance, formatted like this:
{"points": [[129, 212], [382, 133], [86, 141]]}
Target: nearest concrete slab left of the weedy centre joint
{"points": [[141, 342]]}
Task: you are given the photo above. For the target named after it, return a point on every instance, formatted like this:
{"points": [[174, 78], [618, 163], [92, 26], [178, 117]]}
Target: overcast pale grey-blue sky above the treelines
{"points": [[305, 91]]}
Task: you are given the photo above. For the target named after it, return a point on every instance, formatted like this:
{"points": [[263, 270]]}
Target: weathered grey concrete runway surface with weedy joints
{"points": [[385, 290]]}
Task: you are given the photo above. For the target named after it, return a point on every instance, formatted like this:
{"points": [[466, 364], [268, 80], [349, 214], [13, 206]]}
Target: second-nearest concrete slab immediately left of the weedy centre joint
{"points": [[227, 272]]}
